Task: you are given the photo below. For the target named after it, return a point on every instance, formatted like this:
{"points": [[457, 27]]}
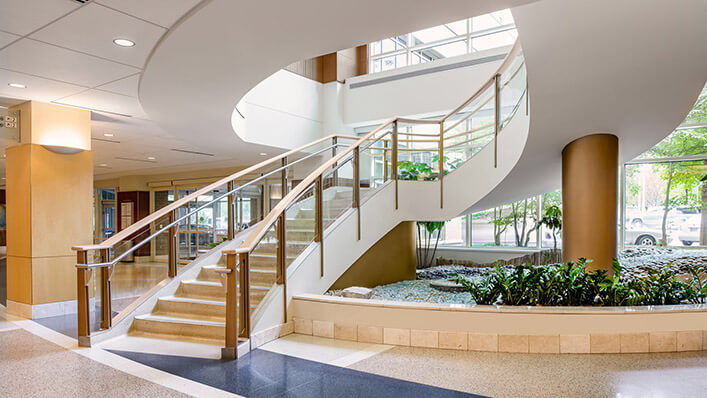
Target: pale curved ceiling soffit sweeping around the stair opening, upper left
{"points": [[222, 48]]}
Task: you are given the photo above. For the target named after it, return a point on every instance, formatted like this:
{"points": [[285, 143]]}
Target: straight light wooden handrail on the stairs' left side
{"points": [[125, 234]]}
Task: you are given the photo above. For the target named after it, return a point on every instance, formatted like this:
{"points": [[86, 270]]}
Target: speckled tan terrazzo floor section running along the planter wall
{"points": [[542, 375]]}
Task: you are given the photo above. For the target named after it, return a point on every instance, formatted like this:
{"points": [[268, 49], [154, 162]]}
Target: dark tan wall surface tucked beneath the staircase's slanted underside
{"points": [[391, 259]]}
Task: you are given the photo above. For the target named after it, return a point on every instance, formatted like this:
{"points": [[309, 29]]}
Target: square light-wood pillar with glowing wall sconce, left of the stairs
{"points": [[49, 204]]}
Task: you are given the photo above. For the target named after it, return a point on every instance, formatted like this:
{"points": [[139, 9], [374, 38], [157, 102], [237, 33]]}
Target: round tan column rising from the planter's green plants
{"points": [[589, 199]]}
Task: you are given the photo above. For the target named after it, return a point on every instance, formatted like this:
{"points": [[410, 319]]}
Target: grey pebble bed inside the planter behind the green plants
{"points": [[636, 262]]}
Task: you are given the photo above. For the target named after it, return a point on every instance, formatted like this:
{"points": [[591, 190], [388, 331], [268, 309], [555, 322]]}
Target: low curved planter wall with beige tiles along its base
{"points": [[347, 327]]}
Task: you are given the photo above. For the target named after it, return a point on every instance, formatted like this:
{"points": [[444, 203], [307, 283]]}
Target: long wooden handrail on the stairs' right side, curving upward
{"points": [[249, 244]]}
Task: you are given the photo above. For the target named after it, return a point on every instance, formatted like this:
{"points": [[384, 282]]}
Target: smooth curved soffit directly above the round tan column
{"points": [[603, 75]]}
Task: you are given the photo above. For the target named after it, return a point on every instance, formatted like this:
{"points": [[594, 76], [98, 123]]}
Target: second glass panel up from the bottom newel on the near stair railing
{"points": [[300, 224]]}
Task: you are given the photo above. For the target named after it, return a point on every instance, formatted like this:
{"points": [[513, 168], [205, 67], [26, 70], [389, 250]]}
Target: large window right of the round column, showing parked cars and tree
{"points": [[665, 194]]}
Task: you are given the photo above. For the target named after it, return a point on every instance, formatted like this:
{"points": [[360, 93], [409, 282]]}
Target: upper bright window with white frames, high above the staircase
{"points": [[484, 32]]}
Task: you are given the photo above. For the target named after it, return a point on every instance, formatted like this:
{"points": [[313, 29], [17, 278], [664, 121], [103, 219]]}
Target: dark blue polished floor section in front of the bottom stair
{"points": [[263, 373]]}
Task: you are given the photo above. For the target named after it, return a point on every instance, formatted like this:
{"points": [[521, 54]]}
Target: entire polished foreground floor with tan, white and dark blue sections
{"points": [[37, 361]]}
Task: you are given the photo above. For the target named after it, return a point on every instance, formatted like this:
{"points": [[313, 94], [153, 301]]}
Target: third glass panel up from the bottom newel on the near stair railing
{"points": [[337, 193]]}
